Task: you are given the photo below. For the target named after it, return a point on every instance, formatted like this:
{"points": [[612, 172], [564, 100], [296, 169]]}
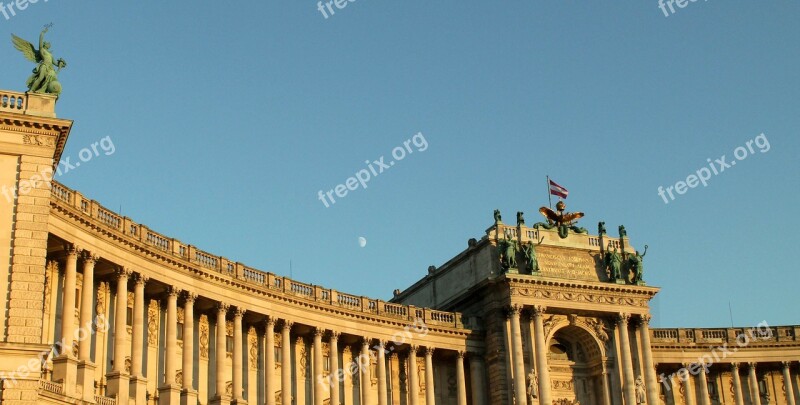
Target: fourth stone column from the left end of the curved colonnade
{"points": [[138, 383]]}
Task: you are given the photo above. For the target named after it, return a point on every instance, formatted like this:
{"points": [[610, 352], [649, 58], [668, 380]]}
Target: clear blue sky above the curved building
{"points": [[228, 118]]}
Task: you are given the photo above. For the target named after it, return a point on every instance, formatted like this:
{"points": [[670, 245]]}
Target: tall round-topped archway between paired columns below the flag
{"points": [[575, 359]]}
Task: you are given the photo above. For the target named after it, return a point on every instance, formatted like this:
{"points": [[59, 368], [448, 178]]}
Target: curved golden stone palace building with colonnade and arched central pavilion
{"points": [[101, 309]]}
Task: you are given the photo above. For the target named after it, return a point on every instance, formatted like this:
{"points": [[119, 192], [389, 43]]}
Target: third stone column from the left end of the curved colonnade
{"points": [[118, 379]]}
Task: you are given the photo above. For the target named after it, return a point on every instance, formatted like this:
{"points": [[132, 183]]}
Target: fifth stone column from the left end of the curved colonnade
{"points": [[169, 391]]}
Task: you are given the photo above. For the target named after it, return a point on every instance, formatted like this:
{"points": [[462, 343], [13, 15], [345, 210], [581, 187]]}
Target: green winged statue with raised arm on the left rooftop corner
{"points": [[45, 76]]}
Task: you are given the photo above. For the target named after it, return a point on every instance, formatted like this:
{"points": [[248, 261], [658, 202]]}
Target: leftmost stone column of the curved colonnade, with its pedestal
{"points": [[65, 366]]}
